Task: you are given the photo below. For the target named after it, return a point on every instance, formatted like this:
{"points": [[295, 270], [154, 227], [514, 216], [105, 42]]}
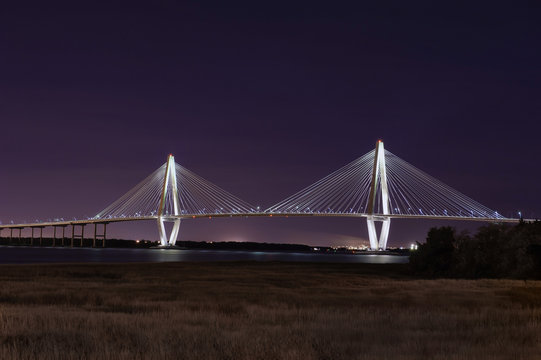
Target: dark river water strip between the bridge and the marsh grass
{"points": [[25, 255]]}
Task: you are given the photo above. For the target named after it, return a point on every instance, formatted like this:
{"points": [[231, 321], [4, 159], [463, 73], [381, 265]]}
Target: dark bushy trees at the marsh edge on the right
{"points": [[495, 251]]}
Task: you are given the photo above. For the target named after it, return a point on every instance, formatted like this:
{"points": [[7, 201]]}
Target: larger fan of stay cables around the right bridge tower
{"points": [[411, 192]]}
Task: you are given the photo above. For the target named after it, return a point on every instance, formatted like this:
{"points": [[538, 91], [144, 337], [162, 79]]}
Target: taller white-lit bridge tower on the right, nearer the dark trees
{"points": [[379, 183]]}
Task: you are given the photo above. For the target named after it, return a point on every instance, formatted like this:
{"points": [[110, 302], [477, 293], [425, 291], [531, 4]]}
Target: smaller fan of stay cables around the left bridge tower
{"points": [[196, 196]]}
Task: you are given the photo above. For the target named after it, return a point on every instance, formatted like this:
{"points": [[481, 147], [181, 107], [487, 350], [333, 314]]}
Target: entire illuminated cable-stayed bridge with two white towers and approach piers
{"points": [[378, 186]]}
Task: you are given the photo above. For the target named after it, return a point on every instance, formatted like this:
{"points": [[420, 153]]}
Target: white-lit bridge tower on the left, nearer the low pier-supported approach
{"points": [[169, 190]]}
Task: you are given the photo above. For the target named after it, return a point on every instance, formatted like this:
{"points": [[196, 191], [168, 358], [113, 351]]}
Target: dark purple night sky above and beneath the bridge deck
{"points": [[264, 99]]}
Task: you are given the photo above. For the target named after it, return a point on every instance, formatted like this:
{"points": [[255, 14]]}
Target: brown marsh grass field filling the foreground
{"points": [[261, 311]]}
